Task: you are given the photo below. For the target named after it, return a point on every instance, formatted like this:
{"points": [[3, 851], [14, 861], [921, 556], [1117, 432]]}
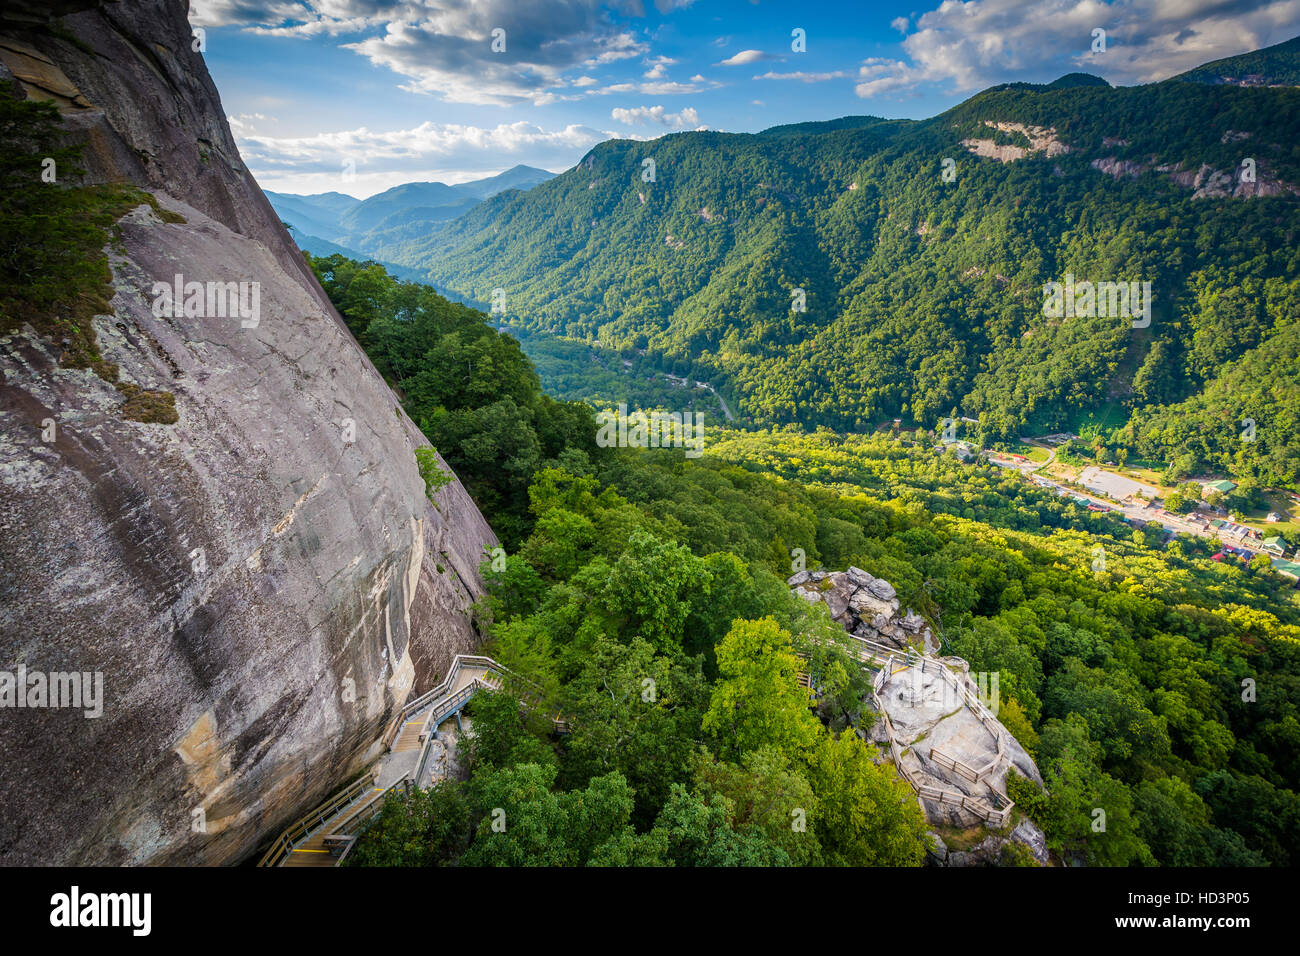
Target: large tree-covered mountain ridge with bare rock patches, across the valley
{"points": [[925, 295]]}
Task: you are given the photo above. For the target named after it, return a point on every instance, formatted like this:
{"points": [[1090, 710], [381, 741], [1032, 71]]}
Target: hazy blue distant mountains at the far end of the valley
{"points": [[331, 223]]}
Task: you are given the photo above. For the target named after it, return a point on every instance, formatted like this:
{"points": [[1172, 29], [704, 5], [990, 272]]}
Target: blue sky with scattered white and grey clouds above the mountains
{"points": [[361, 96]]}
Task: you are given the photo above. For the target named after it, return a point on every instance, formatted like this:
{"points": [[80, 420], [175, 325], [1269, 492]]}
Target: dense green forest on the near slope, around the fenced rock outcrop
{"points": [[644, 600]]}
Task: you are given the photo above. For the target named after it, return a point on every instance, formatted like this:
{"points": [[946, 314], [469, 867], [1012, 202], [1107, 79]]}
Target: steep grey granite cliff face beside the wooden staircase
{"points": [[262, 583]]}
